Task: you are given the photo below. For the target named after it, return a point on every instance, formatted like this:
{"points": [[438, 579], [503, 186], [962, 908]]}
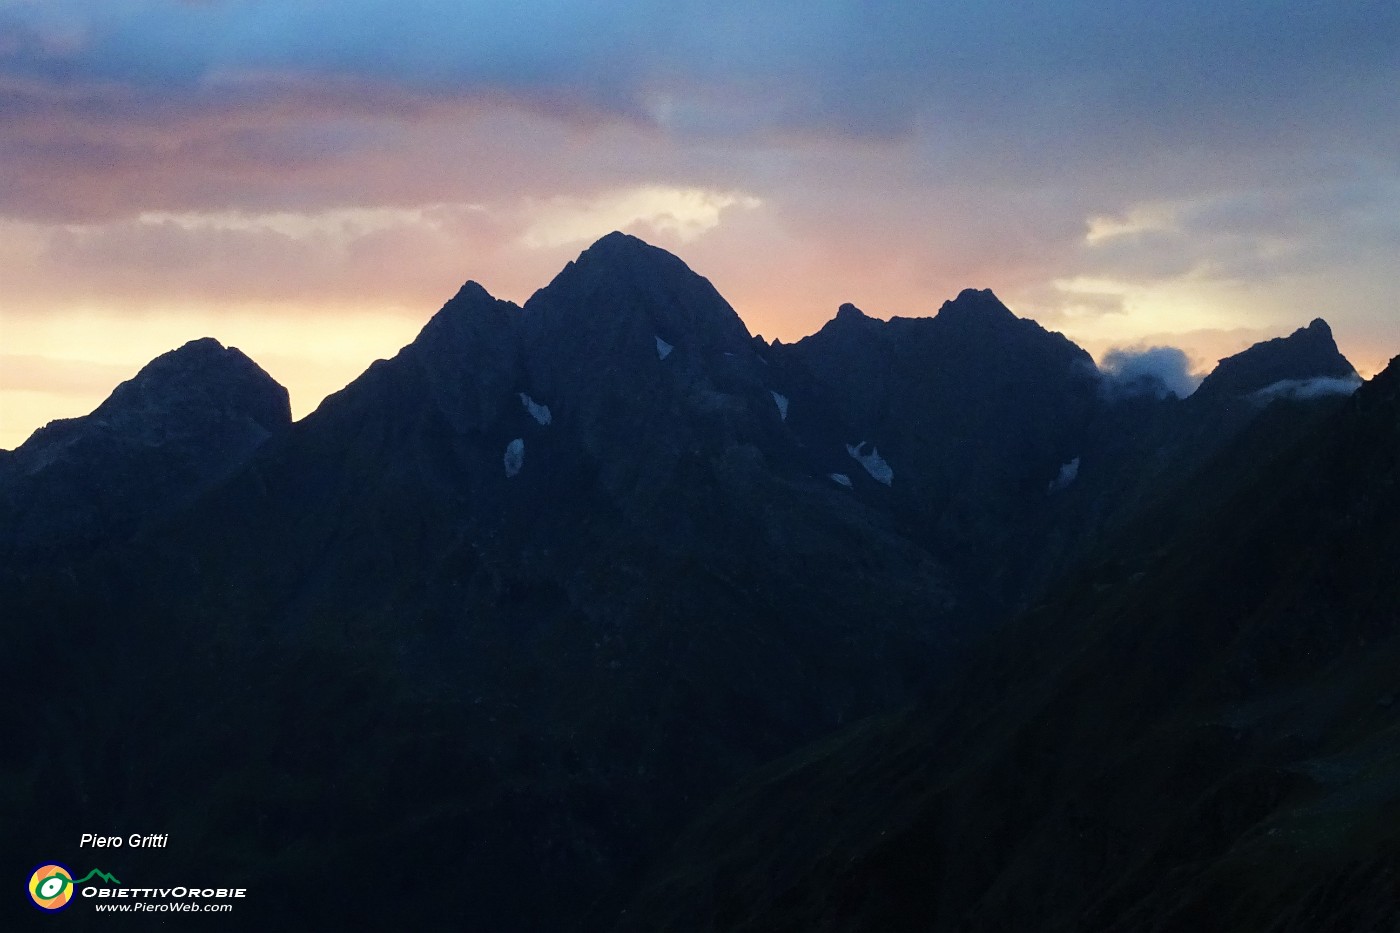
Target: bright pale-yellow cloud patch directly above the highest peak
{"points": [[687, 212]]}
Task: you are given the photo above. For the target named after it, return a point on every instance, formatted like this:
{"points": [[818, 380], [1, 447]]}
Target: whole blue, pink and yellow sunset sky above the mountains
{"points": [[311, 180]]}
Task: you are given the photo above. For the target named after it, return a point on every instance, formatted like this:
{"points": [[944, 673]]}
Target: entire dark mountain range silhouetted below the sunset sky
{"points": [[603, 613]]}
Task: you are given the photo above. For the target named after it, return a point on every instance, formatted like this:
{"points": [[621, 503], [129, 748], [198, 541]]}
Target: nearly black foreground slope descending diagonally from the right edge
{"points": [[1203, 739]]}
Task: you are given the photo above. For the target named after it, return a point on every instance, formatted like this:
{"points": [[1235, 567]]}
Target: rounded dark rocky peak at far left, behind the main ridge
{"points": [[187, 421]]}
